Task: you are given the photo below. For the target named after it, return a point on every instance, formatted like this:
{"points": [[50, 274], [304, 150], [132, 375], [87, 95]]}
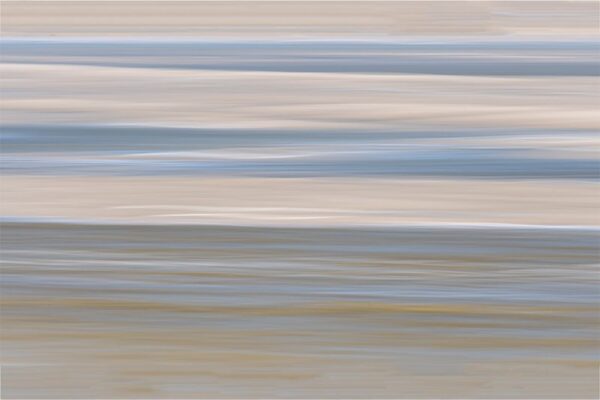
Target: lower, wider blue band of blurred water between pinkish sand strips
{"points": [[196, 152]]}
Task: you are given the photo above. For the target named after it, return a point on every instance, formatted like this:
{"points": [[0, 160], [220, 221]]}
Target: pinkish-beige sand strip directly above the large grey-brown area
{"points": [[301, 202]]}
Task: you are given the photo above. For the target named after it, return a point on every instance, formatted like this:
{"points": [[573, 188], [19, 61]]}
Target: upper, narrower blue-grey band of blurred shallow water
{"points": [[428, 56]]}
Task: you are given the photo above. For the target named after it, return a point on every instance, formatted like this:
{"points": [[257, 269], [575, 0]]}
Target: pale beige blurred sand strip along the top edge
{"points": [[298, 18]]}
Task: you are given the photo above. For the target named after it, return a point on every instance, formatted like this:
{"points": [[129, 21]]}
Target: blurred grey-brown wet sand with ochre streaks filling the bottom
{"points": [[231, 312]]}
